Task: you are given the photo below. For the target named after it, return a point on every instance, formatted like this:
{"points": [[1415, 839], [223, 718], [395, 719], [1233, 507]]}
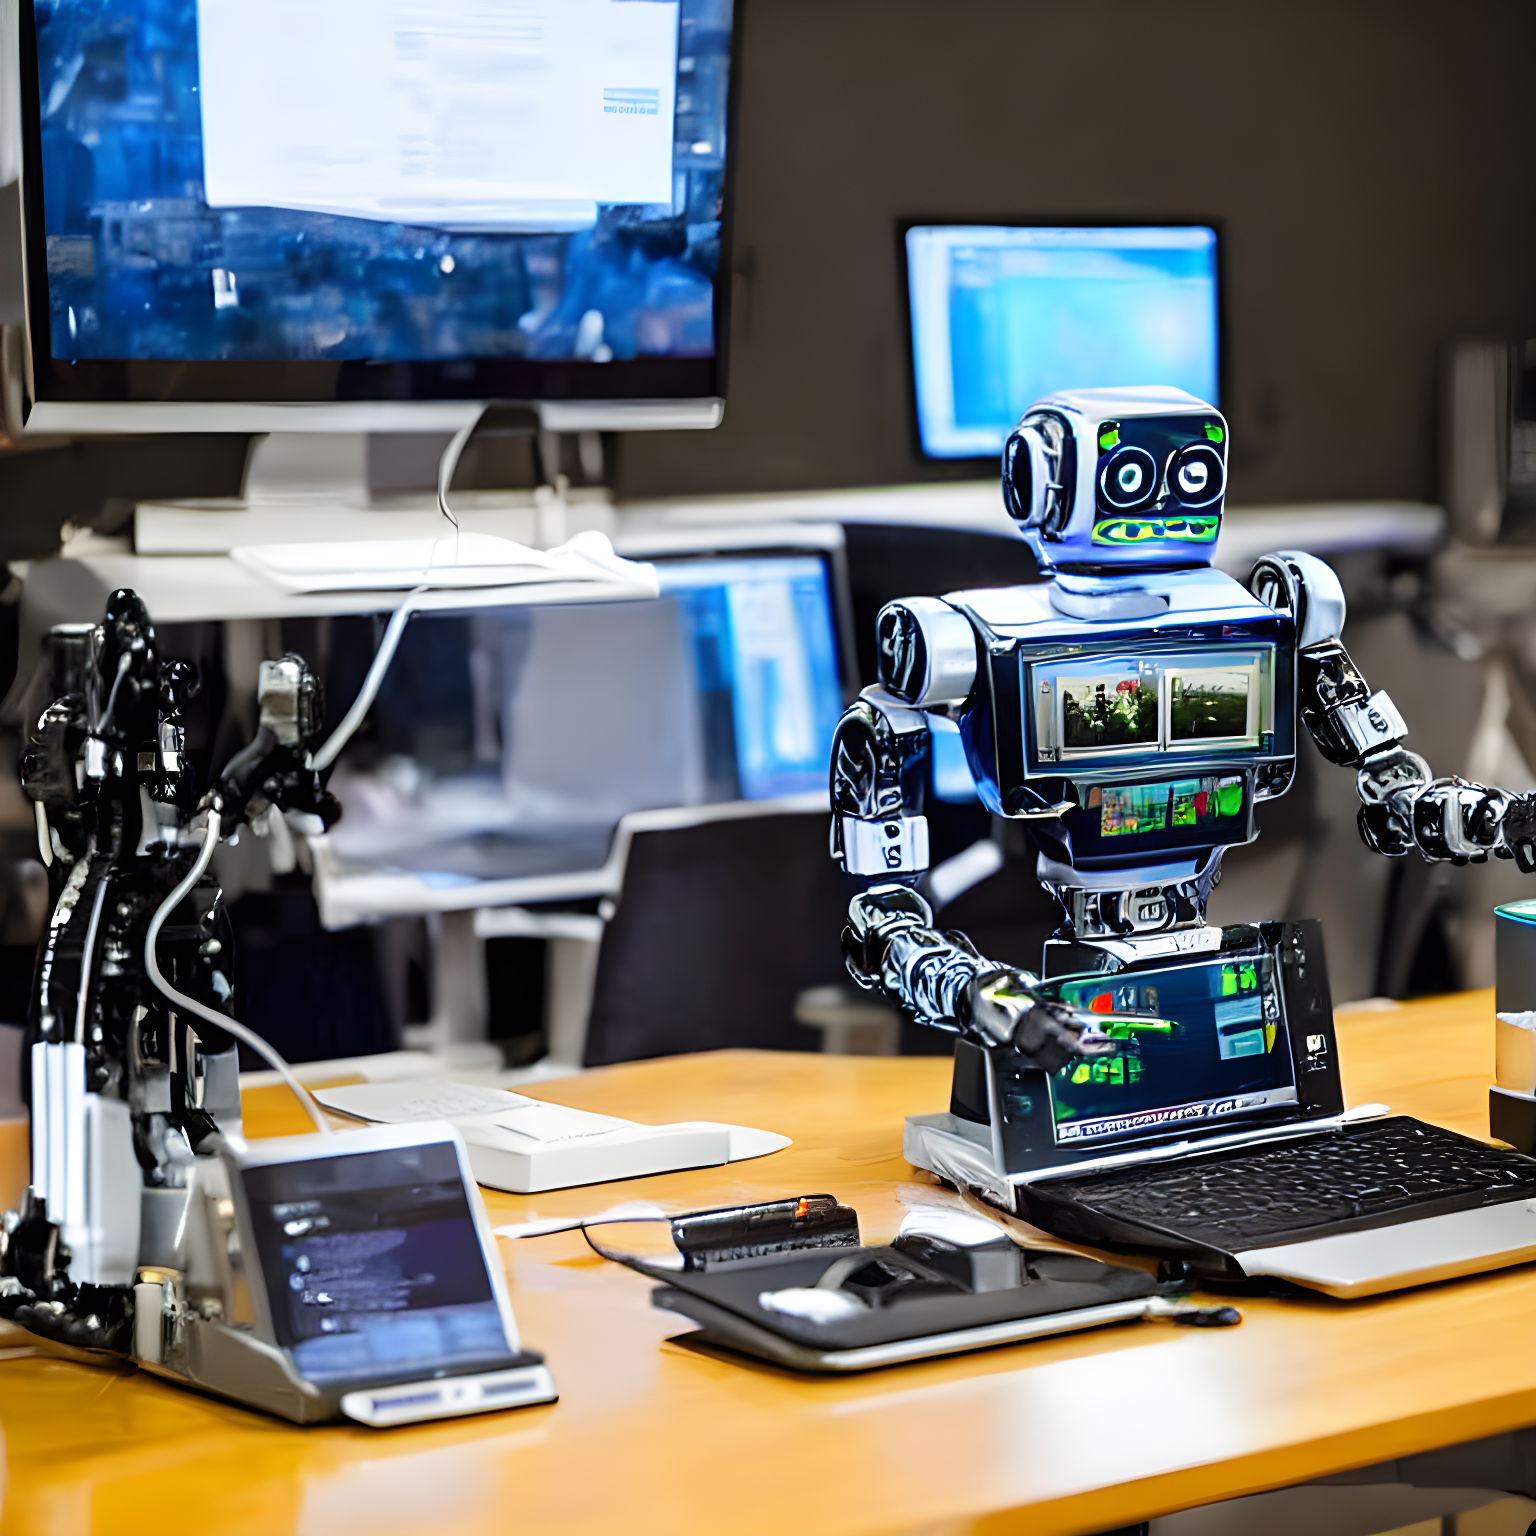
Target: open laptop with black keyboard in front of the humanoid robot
{"points": [[1219, 1136]]}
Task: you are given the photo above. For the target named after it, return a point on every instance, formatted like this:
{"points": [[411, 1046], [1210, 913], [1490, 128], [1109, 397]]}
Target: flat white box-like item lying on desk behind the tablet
{"points": [[526, 1145]]}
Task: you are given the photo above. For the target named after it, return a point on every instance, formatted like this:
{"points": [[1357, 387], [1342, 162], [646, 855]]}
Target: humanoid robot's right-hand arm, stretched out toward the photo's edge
{"points": [[1403, 806]]}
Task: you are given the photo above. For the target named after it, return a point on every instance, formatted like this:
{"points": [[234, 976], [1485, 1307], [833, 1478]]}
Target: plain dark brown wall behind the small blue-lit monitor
{"points": [[1371, 167]]}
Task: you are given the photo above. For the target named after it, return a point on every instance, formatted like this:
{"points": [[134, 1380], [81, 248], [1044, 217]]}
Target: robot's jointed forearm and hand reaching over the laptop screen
{"points": [[893, 948]]}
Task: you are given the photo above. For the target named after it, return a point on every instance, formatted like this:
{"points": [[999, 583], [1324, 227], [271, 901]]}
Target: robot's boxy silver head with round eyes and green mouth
{"points": [[1117, 480]]}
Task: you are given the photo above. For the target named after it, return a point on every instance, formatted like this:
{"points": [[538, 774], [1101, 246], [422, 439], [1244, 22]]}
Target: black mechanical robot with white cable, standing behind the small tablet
{"points": [[130, 1050]]}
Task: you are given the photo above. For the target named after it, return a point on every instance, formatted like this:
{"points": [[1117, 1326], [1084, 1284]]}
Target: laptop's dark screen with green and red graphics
{"points": [[1210, 1042]]}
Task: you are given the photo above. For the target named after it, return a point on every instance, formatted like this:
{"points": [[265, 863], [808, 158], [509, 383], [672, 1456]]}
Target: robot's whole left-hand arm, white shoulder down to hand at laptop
{"points": [[879, 830]]}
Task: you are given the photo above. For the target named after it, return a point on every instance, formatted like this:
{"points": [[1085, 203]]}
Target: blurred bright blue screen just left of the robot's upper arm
{"points": [[761, 632]]}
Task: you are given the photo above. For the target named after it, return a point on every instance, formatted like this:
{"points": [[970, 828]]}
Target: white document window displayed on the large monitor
{"points": [[462, 114]]}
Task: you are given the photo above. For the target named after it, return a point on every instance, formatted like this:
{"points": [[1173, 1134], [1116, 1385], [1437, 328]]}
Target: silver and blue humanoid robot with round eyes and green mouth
{"points": [[1133, 710]]}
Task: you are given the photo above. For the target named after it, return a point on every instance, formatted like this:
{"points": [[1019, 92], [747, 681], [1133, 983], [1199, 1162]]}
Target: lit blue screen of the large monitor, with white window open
{"points": [[405, 180]]}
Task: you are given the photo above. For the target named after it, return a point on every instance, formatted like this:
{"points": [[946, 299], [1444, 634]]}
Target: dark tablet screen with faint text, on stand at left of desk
{"points": [[372, 1263]]}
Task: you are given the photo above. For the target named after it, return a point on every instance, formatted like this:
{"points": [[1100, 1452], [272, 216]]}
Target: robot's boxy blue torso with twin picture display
{"points": [[1147, 740]]}
